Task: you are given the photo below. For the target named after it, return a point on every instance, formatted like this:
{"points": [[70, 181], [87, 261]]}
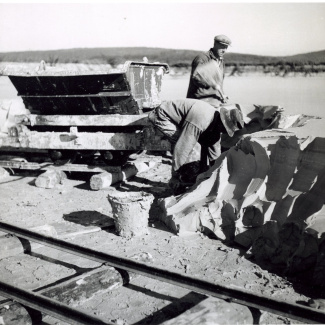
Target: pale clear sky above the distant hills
{"points": [[276, 28]]}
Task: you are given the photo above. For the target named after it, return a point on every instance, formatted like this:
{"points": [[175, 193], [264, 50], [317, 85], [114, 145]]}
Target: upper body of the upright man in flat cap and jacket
{"points": [[208, 72]]}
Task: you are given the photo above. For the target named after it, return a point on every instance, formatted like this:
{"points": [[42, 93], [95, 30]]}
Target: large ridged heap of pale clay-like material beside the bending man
{"points": [[266, 193]]}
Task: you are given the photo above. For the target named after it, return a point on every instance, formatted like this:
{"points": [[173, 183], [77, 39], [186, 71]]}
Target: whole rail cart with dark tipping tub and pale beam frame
{"points": [[76, 115]]}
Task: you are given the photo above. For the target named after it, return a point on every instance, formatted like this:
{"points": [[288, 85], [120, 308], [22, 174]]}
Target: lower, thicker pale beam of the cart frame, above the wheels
{"points": [[144, 140]]}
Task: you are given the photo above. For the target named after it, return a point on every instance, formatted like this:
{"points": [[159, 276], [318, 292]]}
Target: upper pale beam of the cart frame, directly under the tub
{"points": [[82, 120]]}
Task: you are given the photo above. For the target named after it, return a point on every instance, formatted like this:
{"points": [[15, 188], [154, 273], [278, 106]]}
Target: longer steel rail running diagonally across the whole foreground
{"points": [[291, 310]]}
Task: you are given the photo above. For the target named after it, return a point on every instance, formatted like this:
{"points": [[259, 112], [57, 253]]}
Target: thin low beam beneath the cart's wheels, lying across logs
{"points": [[67, 167]]}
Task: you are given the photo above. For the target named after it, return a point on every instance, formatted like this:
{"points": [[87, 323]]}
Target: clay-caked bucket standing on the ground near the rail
{"points": [[131, 212]]}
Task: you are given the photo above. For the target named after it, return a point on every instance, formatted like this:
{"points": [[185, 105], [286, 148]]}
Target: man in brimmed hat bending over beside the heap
{"points": [[186, 122]]}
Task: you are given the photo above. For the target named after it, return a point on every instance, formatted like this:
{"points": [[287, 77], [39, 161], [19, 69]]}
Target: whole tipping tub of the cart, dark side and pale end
{"points": [[124, 91]]}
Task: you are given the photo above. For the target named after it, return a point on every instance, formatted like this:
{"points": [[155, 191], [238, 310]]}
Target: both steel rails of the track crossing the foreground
{"points": [[74, 316]]}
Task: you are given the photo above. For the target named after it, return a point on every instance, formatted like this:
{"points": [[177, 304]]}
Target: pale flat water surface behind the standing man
{"points": [[297, 95]]}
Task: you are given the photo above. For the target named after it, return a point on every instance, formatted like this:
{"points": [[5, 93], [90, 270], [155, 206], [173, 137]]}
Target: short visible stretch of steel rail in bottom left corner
{"points": [[49, 306]]}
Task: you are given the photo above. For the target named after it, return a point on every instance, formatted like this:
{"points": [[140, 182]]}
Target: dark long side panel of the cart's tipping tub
{"points": [[76, 94]]}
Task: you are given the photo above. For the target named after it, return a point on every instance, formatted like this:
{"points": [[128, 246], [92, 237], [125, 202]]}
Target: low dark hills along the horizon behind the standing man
{"points": [[117, 55]]}
